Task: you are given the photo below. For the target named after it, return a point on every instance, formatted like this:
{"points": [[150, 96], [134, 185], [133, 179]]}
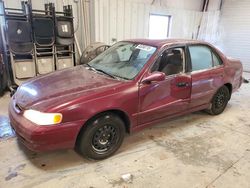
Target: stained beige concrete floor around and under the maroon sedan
{"points": [[196, 150]]}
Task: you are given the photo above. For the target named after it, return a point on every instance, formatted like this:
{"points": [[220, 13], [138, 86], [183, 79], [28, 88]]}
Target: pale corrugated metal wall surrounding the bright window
{"points": [[122, 19]]}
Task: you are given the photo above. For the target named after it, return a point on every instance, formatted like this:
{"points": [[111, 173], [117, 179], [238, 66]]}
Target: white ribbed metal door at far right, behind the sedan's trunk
{"points": [[235, 30]]}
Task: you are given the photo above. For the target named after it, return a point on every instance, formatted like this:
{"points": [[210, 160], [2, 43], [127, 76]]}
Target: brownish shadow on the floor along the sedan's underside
{"points": [[135, 142]]}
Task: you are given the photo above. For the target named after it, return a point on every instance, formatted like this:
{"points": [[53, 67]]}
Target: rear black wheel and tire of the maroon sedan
{"points": [[219, 101]]}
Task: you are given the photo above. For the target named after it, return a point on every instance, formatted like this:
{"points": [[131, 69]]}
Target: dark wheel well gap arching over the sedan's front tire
{"points": [[120, 113]]}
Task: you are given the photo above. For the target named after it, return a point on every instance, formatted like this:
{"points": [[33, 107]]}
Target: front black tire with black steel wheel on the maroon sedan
{"points": [[101, 137]]}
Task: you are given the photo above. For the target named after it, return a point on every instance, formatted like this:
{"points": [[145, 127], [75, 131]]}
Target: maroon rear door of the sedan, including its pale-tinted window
{"points": [[207, 74]]}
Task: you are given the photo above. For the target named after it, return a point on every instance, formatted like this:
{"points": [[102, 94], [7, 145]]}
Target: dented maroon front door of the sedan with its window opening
{"points": [[170, 96]]}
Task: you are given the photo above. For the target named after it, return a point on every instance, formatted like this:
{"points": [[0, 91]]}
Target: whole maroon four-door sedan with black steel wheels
{"points": [[132, 85]]}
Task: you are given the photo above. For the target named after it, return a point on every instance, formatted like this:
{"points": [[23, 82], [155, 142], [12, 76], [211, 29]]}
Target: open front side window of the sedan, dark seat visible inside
{"points": [[170, 62]]}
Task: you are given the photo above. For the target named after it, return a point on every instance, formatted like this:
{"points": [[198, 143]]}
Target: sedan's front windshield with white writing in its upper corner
{"points": [[123, 59]]}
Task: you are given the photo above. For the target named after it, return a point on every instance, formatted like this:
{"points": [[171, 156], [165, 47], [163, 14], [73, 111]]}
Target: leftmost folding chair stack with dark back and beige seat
{"points": [[20, 44]]}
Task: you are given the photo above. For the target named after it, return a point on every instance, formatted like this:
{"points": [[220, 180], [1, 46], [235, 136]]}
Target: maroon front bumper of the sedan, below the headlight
{"points": [[43, 138]]}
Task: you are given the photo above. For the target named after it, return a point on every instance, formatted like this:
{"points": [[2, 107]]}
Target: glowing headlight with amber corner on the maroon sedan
{"points": [[41, 118]]}
